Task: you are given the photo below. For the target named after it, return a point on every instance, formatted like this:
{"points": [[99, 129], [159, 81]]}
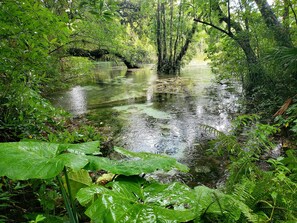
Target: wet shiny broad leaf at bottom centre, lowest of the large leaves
{"points": [[134, 200]]}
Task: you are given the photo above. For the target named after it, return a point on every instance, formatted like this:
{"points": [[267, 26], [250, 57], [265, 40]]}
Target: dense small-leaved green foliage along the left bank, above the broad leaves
{"points": [[29, 34]]}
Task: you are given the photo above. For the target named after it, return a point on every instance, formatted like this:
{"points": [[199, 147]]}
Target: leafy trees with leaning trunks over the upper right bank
{"points": [[257, 46]]}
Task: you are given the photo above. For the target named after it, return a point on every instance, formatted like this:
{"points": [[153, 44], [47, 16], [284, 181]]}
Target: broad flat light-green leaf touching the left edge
{"points": [[28, 160]]}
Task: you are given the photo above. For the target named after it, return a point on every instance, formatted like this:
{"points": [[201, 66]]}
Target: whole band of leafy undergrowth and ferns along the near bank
{"points": [[74, 182]]}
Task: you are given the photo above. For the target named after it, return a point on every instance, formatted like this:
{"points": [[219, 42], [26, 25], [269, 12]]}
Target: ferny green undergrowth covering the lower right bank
{"points": [[262, 171]]}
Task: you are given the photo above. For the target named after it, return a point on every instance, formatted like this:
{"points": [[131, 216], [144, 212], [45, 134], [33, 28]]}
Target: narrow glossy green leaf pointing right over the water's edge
{"points": [[137, 163]]}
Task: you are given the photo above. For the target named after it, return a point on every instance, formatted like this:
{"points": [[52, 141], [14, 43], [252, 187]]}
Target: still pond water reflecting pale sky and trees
{"points": [[162, 115]]}
